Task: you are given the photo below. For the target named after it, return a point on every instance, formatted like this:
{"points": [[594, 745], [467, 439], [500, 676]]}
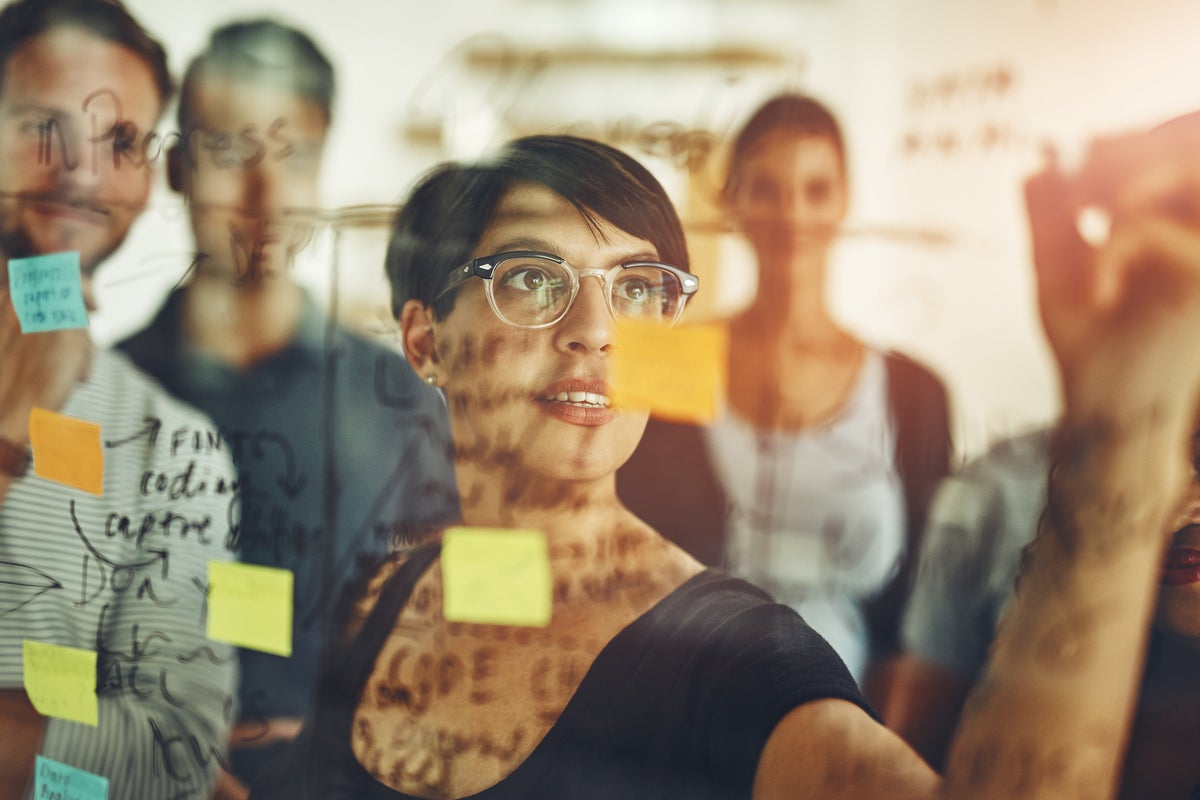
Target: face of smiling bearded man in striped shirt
{"points": [[74, 112]]}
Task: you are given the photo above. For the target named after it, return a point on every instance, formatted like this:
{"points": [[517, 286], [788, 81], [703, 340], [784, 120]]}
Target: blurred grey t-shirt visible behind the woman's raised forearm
{"points": [[981, 520]]}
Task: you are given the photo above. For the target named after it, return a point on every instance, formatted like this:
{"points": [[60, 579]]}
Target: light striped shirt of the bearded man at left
{"points": [[125, 575]]}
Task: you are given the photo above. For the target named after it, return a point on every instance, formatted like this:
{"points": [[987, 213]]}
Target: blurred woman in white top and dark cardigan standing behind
{"points": [[815, 482]]}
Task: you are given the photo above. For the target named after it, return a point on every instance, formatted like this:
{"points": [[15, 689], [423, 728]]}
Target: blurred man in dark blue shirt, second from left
{"points": [[304, 401]]}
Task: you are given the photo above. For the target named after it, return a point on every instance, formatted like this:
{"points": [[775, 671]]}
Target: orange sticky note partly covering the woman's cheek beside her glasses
{"points": [[679, 374]]}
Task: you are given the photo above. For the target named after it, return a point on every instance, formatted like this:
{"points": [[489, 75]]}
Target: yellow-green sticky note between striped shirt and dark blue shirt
{"points": [[251, 606]]}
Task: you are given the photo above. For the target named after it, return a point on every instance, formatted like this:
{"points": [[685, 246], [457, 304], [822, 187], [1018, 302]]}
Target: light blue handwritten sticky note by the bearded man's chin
{"points": [[47, 292]]}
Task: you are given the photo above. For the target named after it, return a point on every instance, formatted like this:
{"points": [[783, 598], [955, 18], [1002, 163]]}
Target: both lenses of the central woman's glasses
{"points": [[532, 291]]}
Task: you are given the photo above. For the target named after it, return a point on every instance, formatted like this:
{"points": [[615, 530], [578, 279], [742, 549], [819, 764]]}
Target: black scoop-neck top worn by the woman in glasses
{"points": [[679, 705]]}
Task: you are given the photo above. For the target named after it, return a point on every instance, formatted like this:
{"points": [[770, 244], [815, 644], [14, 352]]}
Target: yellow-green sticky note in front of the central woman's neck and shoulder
{"points": [[496, 576]]}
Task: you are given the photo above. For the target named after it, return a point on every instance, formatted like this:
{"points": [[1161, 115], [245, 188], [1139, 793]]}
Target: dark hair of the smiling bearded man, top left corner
{"points": [[109, 20]]}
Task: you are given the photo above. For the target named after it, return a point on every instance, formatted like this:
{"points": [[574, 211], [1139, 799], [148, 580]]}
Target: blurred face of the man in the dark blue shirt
{"points": [[251, 173]]}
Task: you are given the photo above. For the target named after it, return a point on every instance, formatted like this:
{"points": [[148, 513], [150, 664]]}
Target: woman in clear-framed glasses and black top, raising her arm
{"points": [[658, 678]]}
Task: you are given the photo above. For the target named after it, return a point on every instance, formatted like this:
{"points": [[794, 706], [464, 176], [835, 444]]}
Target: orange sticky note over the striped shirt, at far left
{"points": [[67, 450]]}
